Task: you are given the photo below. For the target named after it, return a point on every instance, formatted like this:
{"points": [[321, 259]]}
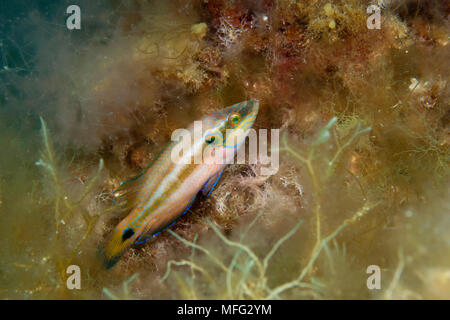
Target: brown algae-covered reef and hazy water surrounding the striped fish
{"points": [[363, 177]]}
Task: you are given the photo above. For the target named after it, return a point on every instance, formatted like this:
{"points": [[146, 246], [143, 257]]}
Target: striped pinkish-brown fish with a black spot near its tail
{"points": [[166, 190]]}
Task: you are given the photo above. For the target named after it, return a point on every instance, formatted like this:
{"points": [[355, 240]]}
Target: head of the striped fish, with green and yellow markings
{"points": [[227, 129]]}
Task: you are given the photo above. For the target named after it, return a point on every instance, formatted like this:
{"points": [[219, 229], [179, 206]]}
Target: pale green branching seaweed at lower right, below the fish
{"points": [[246, 275]]}
